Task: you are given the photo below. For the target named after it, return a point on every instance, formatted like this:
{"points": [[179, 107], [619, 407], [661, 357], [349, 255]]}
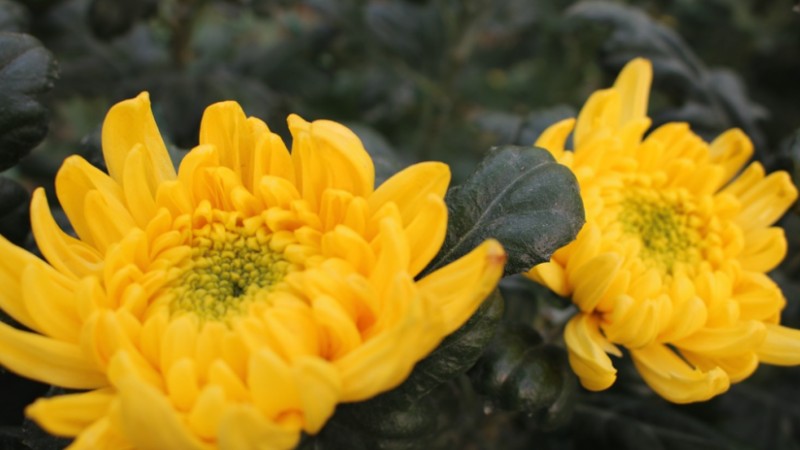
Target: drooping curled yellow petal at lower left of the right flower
{"points": [[587, 353]]}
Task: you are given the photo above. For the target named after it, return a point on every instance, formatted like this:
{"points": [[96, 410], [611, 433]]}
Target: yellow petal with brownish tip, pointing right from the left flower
{"points": [[458, 288]]}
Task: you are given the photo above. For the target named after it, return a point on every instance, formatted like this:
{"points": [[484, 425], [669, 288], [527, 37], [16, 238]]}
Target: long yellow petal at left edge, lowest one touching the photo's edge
{"points": [[47, 360]]}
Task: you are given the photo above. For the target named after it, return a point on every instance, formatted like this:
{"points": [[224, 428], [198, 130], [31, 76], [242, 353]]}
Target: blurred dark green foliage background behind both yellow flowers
{"points": [[425, 80]]}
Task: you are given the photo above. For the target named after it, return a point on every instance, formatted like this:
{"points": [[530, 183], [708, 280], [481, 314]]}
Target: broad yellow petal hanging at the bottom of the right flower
{"points": [[672, 378]]}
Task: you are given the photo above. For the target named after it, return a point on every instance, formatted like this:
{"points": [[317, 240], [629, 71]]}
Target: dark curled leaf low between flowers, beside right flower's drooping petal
{"points": [[520, 372]]}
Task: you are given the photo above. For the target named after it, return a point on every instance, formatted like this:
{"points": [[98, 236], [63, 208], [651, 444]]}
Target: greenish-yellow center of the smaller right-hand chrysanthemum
{"points": [[662, 223]]}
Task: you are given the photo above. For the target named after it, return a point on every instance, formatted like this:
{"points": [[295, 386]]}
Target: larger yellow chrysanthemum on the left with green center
{"points": [[235, 303]]}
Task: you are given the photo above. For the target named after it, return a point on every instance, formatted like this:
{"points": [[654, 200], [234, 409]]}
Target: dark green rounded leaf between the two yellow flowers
{"points": [[519, 196]]}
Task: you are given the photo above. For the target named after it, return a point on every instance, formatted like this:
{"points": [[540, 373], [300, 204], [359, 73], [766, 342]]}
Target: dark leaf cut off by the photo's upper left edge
{"points": [[27, 70]]}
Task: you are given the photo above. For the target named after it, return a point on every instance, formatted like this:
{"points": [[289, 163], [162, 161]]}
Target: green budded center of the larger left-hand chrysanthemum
{"points": [[230, 267]]}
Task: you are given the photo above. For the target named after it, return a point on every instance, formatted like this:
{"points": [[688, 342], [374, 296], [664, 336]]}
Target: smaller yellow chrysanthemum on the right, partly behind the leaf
{"points": [[671, 263]]}
